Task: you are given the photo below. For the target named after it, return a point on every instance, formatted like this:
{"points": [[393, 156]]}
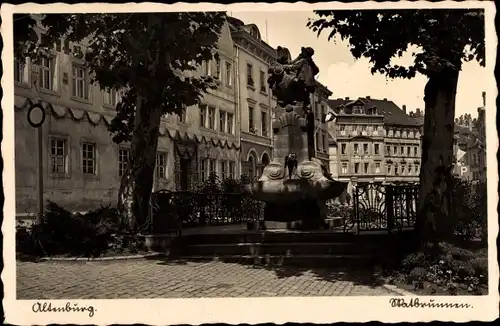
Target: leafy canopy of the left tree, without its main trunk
{"points": [[139, 53]]}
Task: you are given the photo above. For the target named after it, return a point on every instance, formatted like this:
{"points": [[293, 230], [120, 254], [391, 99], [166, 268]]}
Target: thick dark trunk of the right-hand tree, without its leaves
{"points": [[434, 222]]}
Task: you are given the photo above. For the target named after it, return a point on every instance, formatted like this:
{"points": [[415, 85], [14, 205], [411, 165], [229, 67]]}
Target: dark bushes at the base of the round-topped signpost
{"points": [[78, 235]]}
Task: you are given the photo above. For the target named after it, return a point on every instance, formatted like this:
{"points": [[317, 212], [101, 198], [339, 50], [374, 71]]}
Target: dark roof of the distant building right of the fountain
{"points": [[393, 115]]}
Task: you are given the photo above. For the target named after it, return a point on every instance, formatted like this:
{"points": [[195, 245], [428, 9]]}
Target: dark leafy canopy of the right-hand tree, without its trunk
{"points": [[447, 37]]}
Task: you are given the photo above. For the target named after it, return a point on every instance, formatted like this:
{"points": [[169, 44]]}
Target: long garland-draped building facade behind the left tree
{"points": [[83, 167]]}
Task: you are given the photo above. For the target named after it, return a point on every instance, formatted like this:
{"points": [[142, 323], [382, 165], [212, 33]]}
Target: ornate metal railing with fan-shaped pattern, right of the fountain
{"points": [[378, 207]]}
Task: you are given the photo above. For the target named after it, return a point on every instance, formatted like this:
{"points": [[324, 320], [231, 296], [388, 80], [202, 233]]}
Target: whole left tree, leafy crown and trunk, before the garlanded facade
{"points": [[150, 57]]}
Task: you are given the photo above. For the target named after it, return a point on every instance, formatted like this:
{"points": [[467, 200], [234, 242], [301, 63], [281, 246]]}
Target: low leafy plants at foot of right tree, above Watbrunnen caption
{"points": [[452, 270]]}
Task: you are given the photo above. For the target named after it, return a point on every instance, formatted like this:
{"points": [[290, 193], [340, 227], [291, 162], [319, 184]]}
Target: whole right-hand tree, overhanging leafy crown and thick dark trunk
{"points": [[446, 38]]}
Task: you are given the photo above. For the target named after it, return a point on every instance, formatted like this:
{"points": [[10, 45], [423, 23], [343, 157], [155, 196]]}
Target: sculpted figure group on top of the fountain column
{"points": [[293, 81]]}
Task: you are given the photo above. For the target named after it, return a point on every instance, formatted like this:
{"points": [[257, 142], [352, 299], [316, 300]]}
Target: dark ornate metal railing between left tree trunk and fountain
{"points": [[174, 210]]}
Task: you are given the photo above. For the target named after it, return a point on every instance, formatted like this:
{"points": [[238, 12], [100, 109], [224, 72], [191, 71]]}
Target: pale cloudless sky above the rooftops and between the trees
{"points": [[347, 77]]}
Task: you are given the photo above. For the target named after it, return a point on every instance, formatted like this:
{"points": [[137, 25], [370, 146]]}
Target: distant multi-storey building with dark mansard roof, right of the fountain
{"points": [[375, 141]]}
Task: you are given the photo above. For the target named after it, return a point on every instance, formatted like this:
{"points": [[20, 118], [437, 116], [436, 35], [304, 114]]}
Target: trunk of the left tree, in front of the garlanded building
{"points": [[137, 182]]}
